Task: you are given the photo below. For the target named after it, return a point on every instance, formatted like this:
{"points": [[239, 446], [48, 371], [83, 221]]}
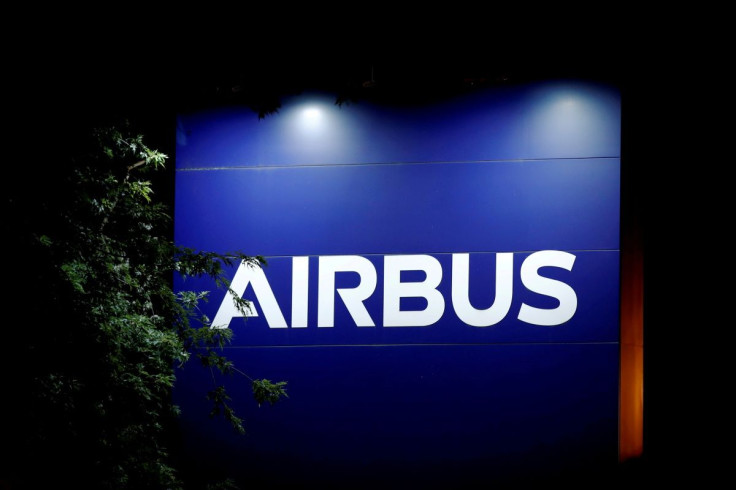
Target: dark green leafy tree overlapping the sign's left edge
{"points": [[110, 330]]}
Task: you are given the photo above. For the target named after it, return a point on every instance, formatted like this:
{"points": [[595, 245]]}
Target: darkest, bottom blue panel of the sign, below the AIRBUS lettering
{"points": [[357, 413]]}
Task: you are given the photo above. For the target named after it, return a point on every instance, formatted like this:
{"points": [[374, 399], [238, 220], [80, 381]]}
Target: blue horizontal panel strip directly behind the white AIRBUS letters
{"points": [[596, 318]]}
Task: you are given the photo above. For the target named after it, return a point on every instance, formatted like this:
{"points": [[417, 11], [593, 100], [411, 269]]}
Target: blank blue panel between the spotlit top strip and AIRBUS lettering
{"points": [[411, 208]]}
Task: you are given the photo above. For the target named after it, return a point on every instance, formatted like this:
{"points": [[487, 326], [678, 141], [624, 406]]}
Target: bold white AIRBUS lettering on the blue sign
{"points": [[394, 290]]}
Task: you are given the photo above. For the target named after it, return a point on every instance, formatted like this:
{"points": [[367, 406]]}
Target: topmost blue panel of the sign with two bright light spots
{"points": [[556, 120]]}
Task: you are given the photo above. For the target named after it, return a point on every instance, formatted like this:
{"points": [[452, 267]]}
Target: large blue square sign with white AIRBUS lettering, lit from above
{"points": [[442, 286]]}
